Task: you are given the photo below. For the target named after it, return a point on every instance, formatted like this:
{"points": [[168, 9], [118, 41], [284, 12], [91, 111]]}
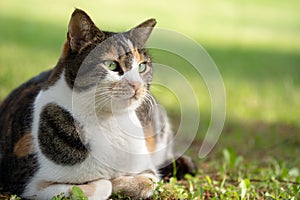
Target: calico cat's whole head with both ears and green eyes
{"points": [[116, 65]]}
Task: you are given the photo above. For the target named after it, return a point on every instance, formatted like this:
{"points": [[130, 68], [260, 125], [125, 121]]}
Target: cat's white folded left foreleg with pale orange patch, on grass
{"points": [[100, 189]]}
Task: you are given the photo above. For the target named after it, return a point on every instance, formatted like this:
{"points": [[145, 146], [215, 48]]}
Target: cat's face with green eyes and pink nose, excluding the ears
{"points": [[126, 74]]}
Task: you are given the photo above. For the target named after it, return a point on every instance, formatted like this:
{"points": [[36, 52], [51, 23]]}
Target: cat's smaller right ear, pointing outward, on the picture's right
{"points": [[141, 33]]}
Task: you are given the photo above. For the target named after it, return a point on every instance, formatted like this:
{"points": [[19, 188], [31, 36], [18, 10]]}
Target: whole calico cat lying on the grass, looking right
{"points": [[66, 126]]}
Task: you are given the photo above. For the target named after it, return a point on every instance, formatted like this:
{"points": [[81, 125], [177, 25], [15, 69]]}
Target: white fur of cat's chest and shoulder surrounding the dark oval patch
{"points": [[114, 152]]}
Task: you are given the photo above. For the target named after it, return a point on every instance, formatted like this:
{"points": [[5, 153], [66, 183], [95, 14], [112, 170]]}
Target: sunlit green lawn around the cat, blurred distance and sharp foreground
{"points": [[254, 44]]}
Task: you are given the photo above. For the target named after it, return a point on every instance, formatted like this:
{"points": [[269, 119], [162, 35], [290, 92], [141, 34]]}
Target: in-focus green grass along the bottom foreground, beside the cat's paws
{"points": [[230, 176]]}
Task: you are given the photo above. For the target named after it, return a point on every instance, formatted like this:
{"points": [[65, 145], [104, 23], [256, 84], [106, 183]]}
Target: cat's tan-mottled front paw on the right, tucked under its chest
{"points": [[136, 187]]}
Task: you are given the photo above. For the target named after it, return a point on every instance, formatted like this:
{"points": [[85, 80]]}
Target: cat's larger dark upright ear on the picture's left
{"points": [[81, 30]]}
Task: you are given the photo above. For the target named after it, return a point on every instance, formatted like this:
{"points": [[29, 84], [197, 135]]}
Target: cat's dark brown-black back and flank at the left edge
{"points": [[16, 155]]}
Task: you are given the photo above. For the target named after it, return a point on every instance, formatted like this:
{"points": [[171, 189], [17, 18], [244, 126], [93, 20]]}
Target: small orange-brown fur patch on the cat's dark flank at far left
{"points": [[24, 146]]}
